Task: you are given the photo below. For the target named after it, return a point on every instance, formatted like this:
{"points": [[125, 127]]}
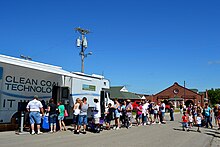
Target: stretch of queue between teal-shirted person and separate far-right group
{"points": [[118, 115]]}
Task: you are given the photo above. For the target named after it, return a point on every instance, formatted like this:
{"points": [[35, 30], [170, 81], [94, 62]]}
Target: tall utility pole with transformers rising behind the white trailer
{"points": [[83, 44]]}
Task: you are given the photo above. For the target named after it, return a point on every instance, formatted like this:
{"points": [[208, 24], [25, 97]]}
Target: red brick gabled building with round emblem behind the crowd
{"points": [[179, 94]]}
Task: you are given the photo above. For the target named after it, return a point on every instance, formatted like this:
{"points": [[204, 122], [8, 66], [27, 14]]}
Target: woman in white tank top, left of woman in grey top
{"points": [[76, 112]]}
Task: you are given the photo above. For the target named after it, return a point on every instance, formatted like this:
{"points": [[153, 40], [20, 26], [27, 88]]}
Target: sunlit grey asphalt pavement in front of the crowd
{"points": [[157, 135]]}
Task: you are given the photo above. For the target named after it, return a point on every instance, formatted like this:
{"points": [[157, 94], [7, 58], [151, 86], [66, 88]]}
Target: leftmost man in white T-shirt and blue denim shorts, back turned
{"points": [[35, 107]]}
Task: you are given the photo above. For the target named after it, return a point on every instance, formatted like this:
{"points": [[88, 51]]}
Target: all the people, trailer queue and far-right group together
{"points": [[118, 115]]}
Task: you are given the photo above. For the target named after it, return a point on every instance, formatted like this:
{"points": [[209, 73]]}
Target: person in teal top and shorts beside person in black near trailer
{"points": [[61, 109]]}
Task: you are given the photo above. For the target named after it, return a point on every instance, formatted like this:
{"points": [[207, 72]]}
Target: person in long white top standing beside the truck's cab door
{"points": [[96, 115]]}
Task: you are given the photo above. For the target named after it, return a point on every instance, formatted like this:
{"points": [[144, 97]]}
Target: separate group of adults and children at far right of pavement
{"points": [[194, 115]]}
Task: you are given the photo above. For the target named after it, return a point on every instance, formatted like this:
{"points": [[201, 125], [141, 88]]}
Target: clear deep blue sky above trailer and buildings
{"points": [[146, 45]]}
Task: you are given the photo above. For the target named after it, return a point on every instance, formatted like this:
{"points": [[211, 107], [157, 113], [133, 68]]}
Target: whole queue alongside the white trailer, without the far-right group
{"points": [[117, 115]]}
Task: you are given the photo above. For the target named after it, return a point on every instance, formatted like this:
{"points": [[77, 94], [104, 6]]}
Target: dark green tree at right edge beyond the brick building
{"points": [[214, 96]]}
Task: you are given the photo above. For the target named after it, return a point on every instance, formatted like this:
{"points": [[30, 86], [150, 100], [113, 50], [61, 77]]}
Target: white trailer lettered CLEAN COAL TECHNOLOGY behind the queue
{"points": [[21, 79]]}
